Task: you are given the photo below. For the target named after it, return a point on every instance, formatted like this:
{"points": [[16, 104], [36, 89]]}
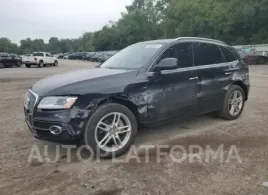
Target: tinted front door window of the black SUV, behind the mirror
{"points": [[183, 52]]}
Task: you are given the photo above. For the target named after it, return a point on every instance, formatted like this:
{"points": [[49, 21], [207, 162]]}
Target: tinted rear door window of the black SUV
{"points": [[206, 54]]}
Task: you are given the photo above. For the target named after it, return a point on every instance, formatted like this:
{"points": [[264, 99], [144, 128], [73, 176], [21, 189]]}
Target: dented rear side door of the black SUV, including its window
{"points": [[211, 72]]}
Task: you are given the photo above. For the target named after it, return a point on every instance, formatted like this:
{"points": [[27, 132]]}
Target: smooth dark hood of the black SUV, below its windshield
{"points": [[83, 81]]}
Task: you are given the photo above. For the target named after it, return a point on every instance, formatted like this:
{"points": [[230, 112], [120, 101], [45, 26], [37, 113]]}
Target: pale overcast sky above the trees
{"points": [[20, 19]]}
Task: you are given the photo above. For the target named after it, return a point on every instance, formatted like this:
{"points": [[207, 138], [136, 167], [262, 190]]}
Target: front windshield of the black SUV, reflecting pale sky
{"points": [[132, 57]]}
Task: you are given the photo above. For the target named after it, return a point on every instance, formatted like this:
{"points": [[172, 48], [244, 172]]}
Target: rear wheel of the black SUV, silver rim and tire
{"points": [[233, 104]]}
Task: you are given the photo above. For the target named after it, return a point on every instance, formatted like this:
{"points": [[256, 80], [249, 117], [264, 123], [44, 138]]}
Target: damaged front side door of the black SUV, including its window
{"points": [[179, 86]]}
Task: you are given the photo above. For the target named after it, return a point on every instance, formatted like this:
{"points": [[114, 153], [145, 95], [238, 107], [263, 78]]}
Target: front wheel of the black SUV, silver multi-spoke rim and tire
{"points": [[111, 130]]}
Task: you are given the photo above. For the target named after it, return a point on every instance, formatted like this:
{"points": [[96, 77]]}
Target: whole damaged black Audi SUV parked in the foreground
{"points": [[145, 83]]}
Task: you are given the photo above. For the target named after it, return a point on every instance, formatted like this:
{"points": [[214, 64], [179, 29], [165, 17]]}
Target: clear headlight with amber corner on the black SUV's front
{"points": [[57, 102]]}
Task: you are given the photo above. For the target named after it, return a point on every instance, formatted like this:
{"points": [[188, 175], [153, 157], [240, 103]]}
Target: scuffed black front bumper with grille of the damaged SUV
{"points": [[40, 122]]}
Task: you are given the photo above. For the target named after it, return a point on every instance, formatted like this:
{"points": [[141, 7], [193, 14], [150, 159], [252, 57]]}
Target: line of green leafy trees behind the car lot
{"points": [[233, 21]]}
